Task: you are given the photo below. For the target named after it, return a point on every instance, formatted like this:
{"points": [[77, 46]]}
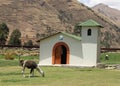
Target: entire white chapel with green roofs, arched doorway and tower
{"points": [[67, 49]]}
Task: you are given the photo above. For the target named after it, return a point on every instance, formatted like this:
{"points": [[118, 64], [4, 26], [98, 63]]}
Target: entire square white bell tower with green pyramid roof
{"points": [[90, 34]]}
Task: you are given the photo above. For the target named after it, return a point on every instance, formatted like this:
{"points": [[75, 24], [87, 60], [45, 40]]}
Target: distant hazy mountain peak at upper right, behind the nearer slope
{"points": [[112, 13]]}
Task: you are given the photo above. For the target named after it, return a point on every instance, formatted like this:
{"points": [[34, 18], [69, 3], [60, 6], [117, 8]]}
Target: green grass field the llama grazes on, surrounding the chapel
{"points": [[10, 75]]}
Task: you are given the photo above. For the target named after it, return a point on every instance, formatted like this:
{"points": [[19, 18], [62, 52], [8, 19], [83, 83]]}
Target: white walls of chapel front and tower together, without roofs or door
{"points": [[82, 53]]}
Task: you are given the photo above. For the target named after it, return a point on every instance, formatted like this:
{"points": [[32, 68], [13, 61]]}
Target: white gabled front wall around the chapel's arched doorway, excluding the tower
{"points": [[47, 45]]}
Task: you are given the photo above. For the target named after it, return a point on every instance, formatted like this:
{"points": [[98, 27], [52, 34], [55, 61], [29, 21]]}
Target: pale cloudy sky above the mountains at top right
{"points": [[111, 3]]}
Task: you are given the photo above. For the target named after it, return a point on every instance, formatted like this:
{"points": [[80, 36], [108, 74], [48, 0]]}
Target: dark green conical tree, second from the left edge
{"points": [[15, 38]]}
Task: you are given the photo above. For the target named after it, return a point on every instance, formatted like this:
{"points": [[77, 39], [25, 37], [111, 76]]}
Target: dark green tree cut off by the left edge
{"points": [[4, 32]]}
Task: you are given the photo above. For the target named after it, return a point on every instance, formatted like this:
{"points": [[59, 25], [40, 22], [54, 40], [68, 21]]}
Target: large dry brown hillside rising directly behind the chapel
{"points": [[44, 17]]}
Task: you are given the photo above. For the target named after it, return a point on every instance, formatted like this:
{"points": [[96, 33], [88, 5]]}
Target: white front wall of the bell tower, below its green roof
{"points": [[89, 46]]}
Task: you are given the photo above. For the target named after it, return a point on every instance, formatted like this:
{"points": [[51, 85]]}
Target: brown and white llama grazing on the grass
{"points": [[30, 65]]}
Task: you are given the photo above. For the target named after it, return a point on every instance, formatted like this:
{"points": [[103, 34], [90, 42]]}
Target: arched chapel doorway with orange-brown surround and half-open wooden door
{"points": [[60, 53]]}
